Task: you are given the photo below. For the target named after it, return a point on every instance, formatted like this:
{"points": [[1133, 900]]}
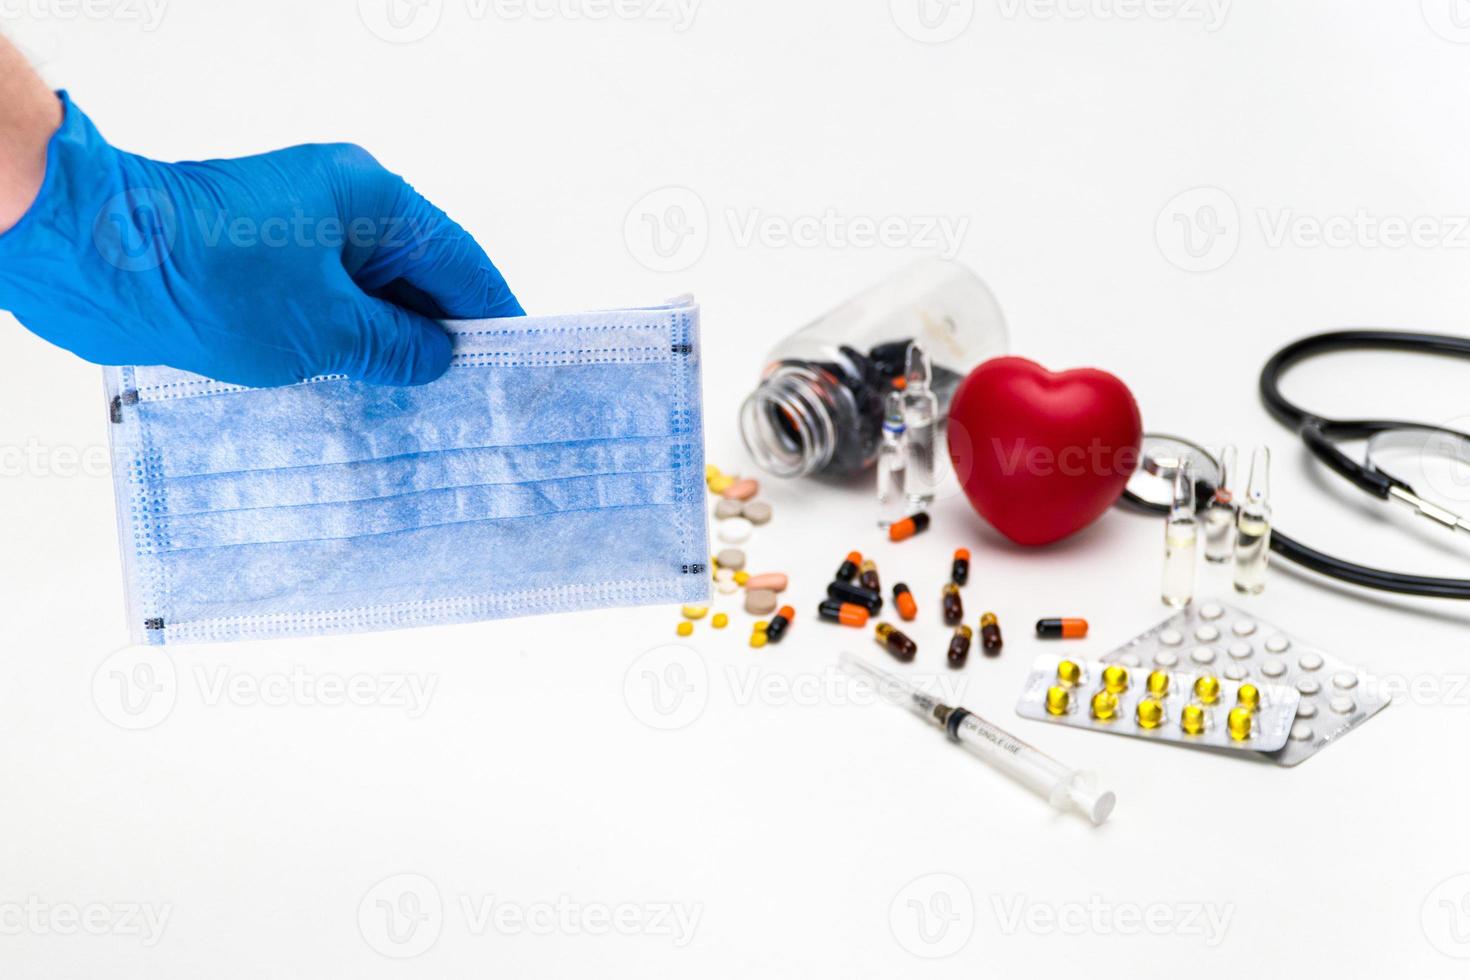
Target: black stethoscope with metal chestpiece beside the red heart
{"points": [[1164, 455]]}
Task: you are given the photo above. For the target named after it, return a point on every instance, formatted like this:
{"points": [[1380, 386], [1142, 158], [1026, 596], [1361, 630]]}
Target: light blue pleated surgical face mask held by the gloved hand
{"points": [[558, 466]]}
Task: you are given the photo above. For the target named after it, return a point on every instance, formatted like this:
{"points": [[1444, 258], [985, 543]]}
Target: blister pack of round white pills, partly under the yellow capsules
{"points": [[1335, 696]]}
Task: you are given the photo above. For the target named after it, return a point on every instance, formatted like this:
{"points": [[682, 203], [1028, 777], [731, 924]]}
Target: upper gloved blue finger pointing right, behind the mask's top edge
{"points": [[427, 262]]}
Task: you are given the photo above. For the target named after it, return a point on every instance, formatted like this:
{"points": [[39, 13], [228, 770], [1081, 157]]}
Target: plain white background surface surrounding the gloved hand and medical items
{"points": [[797, 829]]}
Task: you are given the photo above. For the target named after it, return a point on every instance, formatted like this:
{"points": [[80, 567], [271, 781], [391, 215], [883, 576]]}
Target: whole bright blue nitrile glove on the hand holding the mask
{"points": [[261, 271]]}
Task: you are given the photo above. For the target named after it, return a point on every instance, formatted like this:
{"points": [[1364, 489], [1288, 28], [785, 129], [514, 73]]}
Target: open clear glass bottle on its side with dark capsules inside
{"points": [[820, 405]]}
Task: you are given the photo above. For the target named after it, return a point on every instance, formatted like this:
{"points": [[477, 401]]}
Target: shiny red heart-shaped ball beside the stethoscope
{"points": [[1041, 456]]}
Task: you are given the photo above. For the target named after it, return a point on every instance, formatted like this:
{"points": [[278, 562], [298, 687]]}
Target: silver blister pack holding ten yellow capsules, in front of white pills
{"points": [[1166, 706]]}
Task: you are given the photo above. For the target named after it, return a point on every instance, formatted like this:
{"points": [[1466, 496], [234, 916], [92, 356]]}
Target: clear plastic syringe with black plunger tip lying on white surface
{"points": [[1059, 785]]}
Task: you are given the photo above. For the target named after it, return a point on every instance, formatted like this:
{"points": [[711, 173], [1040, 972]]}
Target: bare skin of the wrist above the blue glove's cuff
{"points": [[30, 114]]}
